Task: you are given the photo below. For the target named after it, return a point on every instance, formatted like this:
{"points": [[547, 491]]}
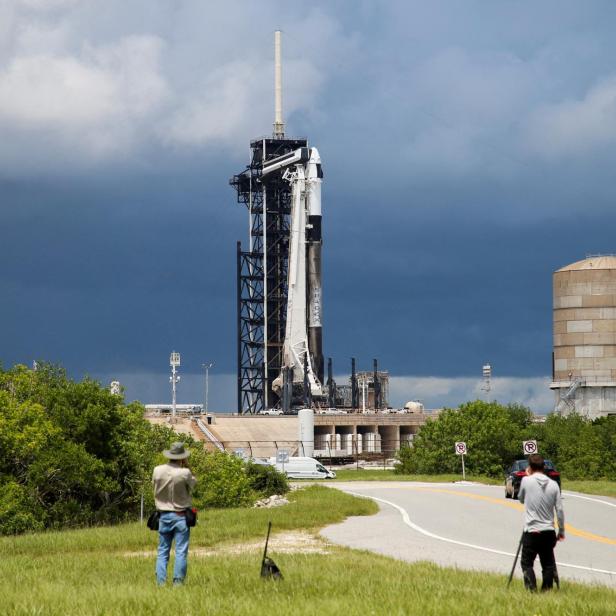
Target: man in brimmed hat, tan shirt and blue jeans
{"points": [[173, 483]]}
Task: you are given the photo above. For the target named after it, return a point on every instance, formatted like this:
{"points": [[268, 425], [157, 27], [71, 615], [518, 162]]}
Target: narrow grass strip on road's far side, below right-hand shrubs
{"points": [[598, 487]]}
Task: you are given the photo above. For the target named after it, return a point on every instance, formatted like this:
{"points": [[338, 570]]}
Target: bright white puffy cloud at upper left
{"points": [[64, 91]]}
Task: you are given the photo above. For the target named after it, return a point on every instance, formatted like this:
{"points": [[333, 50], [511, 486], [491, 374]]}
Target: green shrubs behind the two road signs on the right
{"points": [[580, 448]]}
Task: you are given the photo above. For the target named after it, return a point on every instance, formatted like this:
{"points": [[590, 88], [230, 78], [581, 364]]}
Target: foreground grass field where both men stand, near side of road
{"points": [[88, 572]]}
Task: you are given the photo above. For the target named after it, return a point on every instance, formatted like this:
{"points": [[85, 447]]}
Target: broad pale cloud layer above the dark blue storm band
{"points": [[79, 84]]}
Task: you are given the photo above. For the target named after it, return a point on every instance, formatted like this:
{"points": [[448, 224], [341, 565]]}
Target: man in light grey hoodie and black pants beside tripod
{"points": [[541, 498]]}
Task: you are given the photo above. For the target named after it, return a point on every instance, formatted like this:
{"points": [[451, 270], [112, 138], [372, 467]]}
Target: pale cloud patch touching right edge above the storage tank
{"points": [[575, 127]]}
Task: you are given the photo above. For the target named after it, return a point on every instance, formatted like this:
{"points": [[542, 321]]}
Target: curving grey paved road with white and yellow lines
{"points": [[473, 526]]}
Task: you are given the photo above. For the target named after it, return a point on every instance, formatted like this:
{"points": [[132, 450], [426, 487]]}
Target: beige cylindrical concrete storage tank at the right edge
{"points": [[584, 371]]}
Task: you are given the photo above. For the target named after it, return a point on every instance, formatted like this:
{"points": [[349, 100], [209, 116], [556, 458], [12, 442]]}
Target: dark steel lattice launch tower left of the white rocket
{"points": [[262, 275]]}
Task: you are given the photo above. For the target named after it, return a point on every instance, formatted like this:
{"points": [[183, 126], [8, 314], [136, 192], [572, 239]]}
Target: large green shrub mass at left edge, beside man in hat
{"points": [[71, 454]]}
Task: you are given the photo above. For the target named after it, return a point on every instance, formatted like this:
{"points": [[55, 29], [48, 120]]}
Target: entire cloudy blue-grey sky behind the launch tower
{"points": [[468, 148]]}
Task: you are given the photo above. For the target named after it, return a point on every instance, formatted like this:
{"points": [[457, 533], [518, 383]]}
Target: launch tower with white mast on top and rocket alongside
{"points": [[279, 331]]}
